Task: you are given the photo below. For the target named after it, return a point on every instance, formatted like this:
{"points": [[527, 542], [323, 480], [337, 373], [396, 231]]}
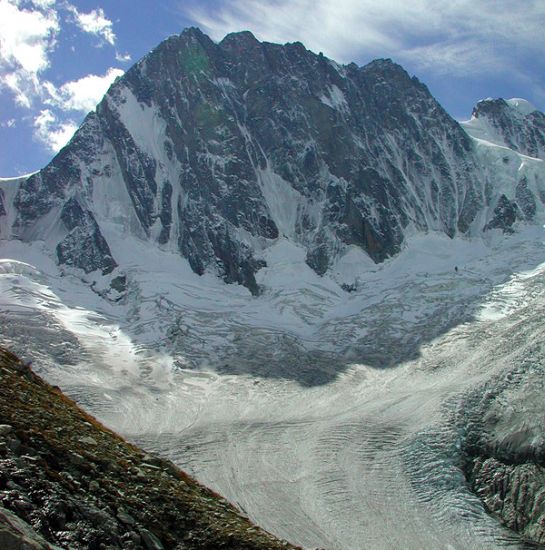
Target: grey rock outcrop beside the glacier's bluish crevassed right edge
{"points": [[505, 451]]}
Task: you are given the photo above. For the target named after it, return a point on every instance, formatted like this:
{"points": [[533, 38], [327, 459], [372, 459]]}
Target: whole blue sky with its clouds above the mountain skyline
{"points": [[57, 57]]}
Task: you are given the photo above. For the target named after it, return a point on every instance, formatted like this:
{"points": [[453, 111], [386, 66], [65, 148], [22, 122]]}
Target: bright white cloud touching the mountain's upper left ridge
{"points": [[83, 94]]}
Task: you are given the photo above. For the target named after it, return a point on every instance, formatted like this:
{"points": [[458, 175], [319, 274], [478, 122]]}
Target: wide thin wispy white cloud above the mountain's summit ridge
{"points": [[449, 36]]}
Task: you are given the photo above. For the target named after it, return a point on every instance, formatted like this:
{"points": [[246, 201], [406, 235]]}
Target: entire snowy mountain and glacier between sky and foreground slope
{"points": [[306, 285]]}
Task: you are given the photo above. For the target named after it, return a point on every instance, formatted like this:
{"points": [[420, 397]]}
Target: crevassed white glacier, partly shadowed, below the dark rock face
{"points": [[282, 402]]}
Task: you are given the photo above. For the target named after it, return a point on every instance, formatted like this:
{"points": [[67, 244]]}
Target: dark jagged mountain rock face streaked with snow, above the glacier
{"points": [[214, 151]]}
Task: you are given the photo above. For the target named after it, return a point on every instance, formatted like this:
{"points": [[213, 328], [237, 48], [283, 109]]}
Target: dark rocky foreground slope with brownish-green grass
{"points": [[68, 482]]}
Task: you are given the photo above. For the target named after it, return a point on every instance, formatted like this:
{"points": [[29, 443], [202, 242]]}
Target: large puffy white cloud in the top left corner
{"points": [[27, 37]]}
